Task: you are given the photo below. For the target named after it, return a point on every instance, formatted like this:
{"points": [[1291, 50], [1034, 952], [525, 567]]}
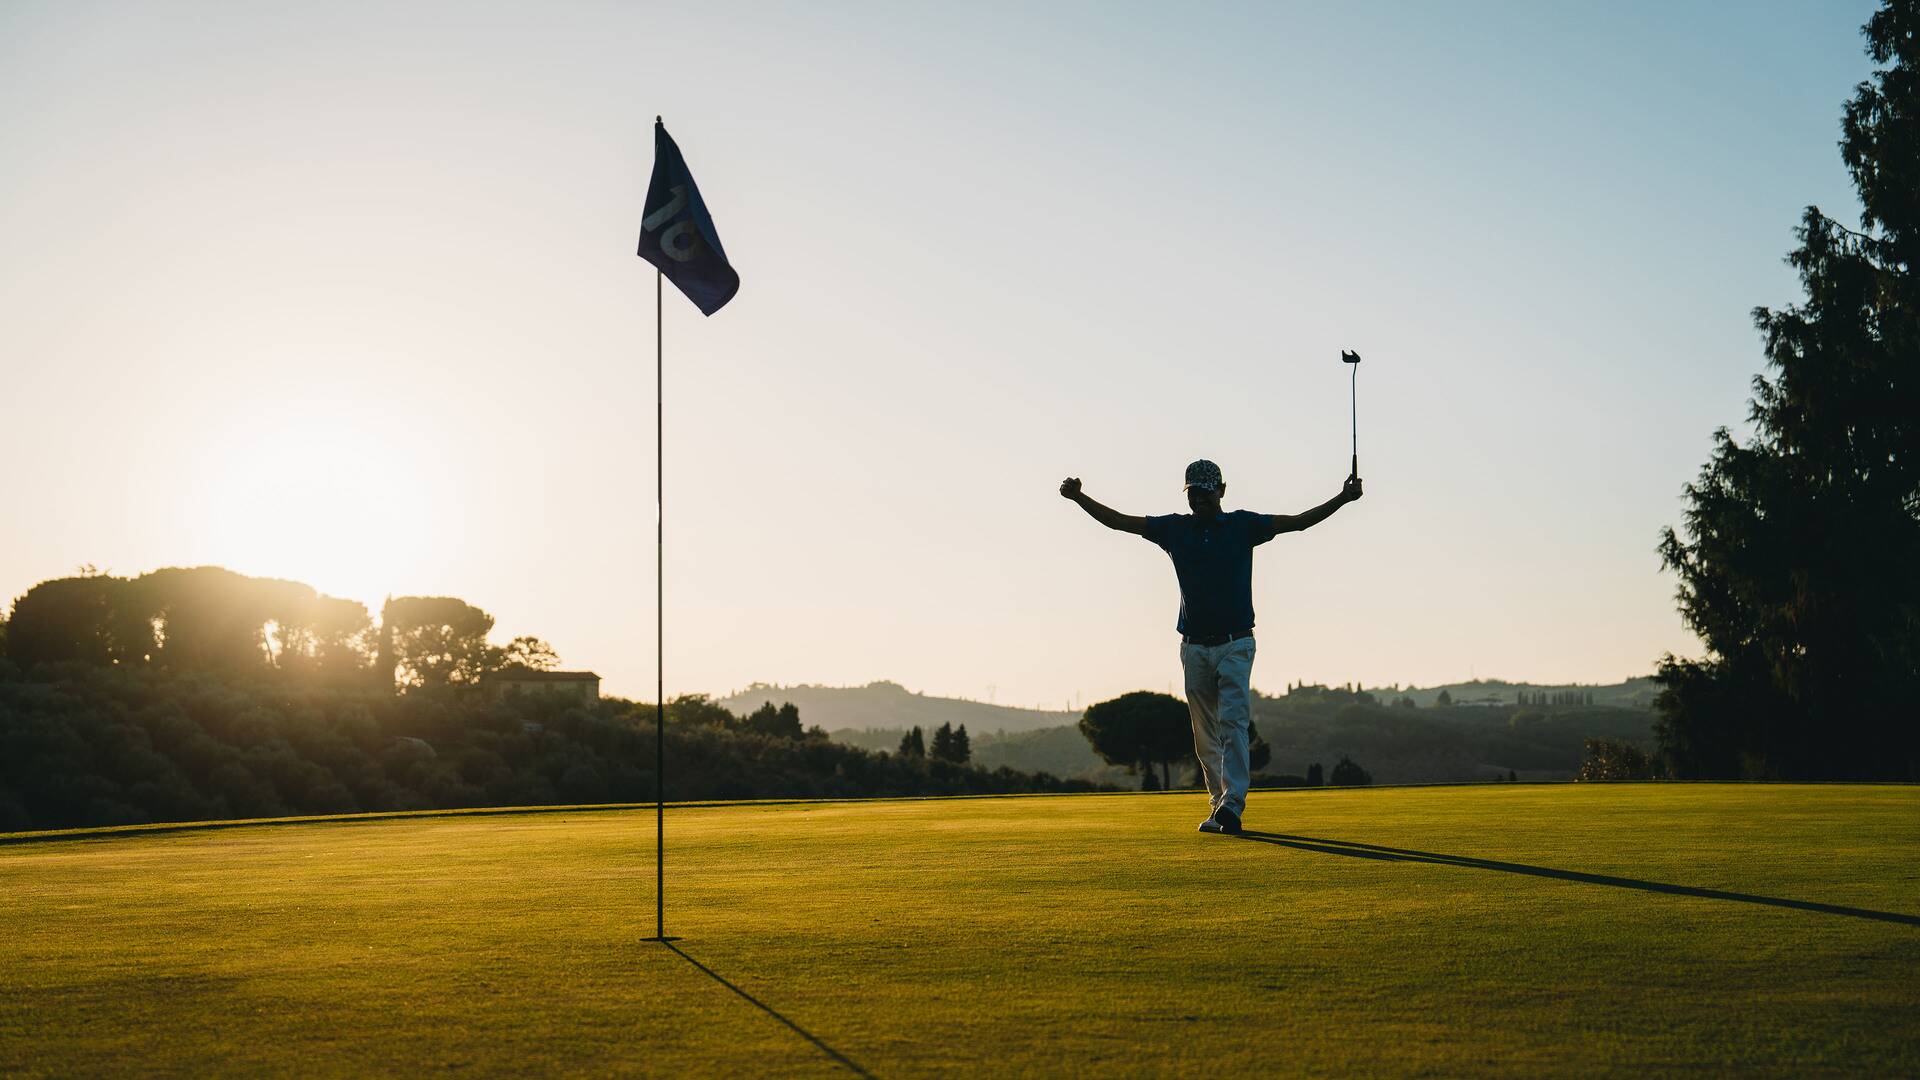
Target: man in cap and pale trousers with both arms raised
{"points": [[1214, 558]]}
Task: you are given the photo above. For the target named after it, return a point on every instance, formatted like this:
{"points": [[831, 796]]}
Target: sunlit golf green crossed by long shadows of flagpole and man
{"points": [[1500, 929]]}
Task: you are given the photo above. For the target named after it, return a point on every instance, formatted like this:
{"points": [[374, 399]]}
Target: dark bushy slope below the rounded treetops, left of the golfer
{"points": [[93, 745]]}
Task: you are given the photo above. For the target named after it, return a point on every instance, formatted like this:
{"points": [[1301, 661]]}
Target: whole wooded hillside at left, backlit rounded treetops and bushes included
{"points": [[191, 695]]}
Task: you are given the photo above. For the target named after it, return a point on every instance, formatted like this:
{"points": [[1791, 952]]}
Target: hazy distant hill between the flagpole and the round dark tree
{"points": [[894, 706]]}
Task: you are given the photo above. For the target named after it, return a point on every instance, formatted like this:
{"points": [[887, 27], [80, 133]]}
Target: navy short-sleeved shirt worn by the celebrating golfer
{"points": [[1216, 568]]}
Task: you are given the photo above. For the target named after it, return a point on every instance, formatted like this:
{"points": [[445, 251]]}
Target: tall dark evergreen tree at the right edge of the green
{"points": [[1800, 556]]}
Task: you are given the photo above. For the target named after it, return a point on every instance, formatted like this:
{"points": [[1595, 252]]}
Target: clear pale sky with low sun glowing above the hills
{"points": [[347, 293]]}
